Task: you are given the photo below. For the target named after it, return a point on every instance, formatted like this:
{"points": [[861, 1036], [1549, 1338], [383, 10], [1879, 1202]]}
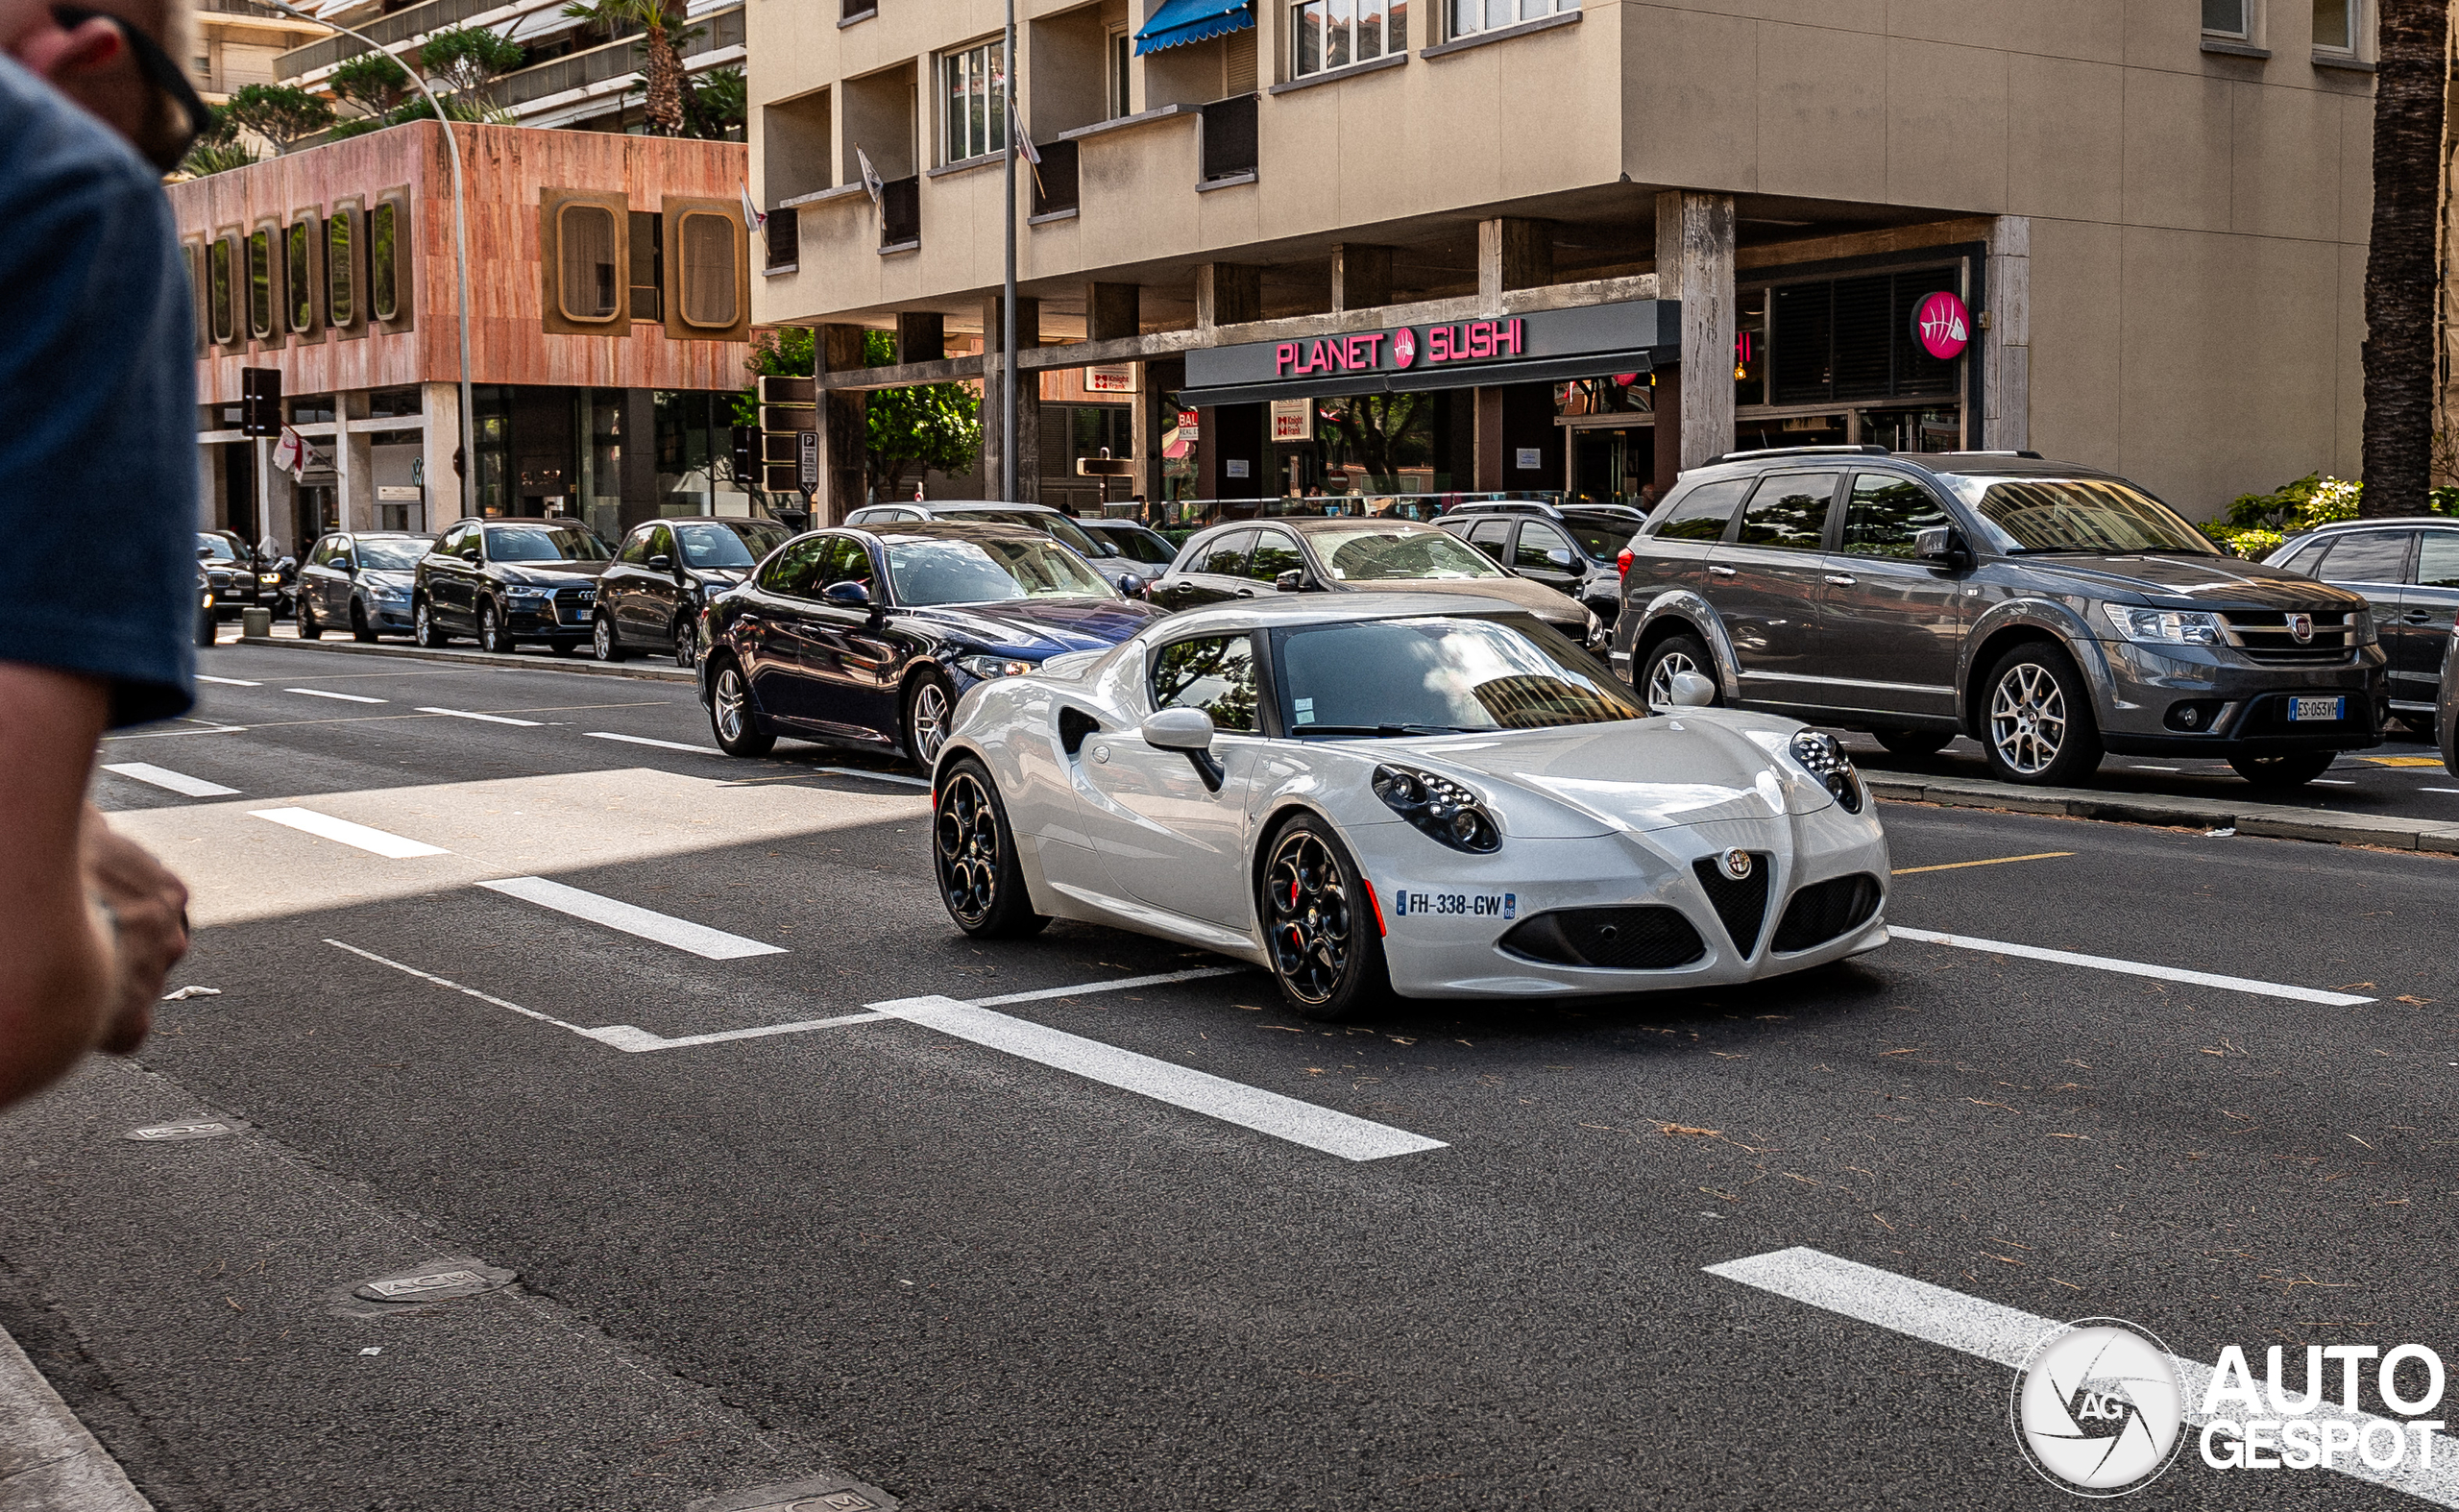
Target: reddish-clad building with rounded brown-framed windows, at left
{"points": [[609, 328]]}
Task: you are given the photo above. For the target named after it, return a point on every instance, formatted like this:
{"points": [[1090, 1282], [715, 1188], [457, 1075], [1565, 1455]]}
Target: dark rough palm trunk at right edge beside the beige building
{"points": [[2401, 262]]}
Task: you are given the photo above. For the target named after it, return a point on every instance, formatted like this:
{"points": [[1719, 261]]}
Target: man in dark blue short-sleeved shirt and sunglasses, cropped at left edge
{"points": [[100, 508]]}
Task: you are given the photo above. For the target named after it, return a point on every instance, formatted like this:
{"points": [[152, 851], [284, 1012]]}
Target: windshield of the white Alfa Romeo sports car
{"points": [[1440, 675]]}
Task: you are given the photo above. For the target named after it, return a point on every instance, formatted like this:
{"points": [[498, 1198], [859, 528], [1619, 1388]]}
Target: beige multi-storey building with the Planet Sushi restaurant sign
{"points": [[1573, 247]]}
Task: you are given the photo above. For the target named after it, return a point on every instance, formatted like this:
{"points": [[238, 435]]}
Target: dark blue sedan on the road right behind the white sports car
{"points": [[869, 638]]}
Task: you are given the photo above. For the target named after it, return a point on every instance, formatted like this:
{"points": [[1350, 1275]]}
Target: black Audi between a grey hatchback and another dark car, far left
{"points": [[510, 581]]}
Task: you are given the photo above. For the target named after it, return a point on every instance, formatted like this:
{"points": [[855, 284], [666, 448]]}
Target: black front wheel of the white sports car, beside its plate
{"points": [[1319, 928]]}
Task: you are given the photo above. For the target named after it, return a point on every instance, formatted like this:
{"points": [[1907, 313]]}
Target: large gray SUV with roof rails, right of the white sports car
{"points": [[2052, 613]]}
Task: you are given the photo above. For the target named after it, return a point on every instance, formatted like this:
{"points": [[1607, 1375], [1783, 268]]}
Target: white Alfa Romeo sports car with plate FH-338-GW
{"points": [[1398, 793]]}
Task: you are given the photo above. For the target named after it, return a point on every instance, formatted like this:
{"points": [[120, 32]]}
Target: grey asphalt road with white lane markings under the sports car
{"points": [[977, 1280]]}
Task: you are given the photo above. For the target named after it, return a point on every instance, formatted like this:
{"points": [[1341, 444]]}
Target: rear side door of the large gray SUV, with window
{"points": [[1767, 581]]}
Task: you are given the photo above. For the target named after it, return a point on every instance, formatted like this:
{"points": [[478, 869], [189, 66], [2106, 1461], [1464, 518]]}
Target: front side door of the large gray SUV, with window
{"points": [[1890, 626]]}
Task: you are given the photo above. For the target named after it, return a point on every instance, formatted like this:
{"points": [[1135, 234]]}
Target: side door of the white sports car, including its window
{"points": [[1164, 832]]}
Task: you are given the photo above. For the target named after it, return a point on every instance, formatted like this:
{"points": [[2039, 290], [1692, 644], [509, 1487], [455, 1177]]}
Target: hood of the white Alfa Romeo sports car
{"points": [[1632, 776]]}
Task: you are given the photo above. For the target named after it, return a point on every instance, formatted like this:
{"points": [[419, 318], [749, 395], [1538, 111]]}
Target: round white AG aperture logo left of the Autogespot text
{"points": [[2096, 1408]]}
